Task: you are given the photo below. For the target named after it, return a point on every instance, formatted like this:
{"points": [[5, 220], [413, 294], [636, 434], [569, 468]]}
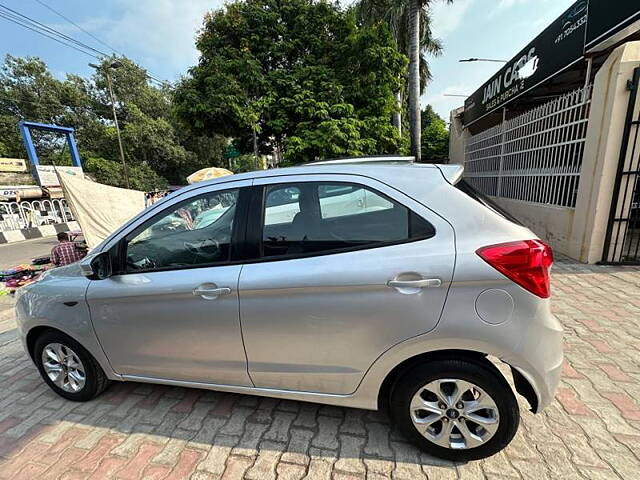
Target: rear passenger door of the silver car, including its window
{"points": [[358, 268]]}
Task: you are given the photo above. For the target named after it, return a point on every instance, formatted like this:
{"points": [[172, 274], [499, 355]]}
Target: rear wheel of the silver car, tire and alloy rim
{"points": [[486, 379]]}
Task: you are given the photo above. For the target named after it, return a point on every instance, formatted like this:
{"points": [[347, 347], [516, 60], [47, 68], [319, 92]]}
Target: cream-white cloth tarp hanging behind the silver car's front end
{"points": [[99, 209]]}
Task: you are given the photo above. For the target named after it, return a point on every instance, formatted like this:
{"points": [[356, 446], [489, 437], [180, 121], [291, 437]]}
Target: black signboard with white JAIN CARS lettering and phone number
{"points": [[556, 48]]}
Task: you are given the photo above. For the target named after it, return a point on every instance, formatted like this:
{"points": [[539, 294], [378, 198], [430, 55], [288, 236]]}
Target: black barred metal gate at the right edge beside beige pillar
{"points": [[622, 243]]}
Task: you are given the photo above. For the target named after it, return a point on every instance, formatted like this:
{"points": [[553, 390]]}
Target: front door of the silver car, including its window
{"points": [[171, 312]]}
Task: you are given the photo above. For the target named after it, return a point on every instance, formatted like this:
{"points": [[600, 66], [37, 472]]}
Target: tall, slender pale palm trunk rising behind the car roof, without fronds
{"points": [[414, 78]]}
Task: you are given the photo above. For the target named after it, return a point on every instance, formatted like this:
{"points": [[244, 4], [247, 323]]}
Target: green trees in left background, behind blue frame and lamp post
{"points": [[156, 150]]}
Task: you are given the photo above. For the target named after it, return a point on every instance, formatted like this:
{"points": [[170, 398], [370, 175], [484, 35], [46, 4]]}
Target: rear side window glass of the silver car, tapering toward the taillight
{"points": [[328, 217]]}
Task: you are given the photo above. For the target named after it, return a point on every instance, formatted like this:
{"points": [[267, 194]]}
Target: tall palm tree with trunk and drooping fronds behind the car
{"points": [[410, 22]]}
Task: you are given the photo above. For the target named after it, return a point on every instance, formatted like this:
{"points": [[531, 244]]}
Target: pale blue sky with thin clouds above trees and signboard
{"points": [[159, 35]]}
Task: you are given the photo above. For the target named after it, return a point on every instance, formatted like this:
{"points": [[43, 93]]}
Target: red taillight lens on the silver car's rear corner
{"points": [[526, 262]]}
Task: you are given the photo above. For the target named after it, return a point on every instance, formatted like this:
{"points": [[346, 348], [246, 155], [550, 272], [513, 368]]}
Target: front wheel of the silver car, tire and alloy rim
{"points": [[76, 359]]}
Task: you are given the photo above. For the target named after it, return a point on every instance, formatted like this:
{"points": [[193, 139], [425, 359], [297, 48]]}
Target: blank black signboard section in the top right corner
{"points": [[608, 18]]}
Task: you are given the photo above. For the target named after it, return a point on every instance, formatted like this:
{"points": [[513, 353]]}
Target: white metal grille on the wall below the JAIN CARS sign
{"points": [[535, 157]]}
